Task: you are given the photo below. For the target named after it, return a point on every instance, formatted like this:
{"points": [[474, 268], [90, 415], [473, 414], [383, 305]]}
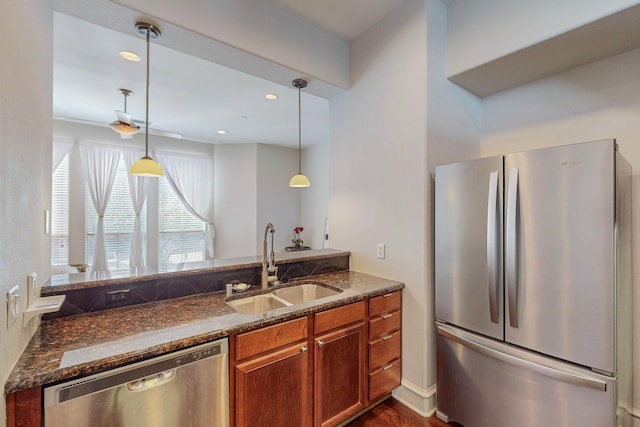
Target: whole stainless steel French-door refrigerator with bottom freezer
{"points": [[533, 288]]}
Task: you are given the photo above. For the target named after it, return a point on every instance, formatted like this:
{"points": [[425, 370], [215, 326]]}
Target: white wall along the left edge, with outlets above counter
{"points": [[25, 161]]}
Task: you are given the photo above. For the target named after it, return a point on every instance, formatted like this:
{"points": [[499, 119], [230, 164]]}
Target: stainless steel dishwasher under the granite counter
{"points": [[185, 388]]}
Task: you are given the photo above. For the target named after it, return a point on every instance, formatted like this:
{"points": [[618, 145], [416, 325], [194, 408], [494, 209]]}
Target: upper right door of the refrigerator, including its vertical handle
{"points": [[559, 252]]}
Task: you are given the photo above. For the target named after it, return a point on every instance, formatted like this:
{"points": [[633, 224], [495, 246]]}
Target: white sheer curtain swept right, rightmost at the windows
{"points": [[191, 178]]}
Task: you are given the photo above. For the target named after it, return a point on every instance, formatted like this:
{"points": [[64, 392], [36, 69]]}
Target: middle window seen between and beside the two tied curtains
{"points": [[118, 223]]}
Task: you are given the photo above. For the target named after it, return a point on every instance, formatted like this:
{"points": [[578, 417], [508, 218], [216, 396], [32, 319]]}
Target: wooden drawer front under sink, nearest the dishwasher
{"points": [[269, 338]]}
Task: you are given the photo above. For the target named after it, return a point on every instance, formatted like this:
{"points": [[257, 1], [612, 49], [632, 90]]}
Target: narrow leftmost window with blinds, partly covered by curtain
{"points": [[60, 214]]}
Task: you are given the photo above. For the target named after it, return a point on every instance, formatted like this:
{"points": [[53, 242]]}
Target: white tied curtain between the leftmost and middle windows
{"points": [[99, 165]]}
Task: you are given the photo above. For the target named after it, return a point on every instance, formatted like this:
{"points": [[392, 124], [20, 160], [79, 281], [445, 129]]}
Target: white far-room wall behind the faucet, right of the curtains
{"points": [[252, 189]]}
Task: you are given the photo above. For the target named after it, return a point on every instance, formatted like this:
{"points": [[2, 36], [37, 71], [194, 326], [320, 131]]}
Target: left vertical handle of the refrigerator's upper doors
{"points": [[492, 255]]}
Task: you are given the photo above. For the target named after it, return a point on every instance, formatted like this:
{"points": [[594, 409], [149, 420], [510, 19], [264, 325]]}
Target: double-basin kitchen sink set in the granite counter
{"points": [[284, 297]]}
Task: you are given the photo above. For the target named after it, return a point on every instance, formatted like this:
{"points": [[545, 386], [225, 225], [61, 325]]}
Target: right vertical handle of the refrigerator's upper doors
{"points": [[511, 274]]}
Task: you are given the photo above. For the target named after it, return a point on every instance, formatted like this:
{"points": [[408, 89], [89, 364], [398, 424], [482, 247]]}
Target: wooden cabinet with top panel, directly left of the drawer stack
{"points": [[339, 364]]}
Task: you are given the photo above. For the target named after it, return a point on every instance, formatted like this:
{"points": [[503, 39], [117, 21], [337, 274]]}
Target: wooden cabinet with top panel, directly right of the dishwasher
{"points": [[272, 376]]}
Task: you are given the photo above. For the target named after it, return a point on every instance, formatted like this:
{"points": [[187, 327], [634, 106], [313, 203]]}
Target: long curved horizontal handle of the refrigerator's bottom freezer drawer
{"points": [[558, 374]]}
